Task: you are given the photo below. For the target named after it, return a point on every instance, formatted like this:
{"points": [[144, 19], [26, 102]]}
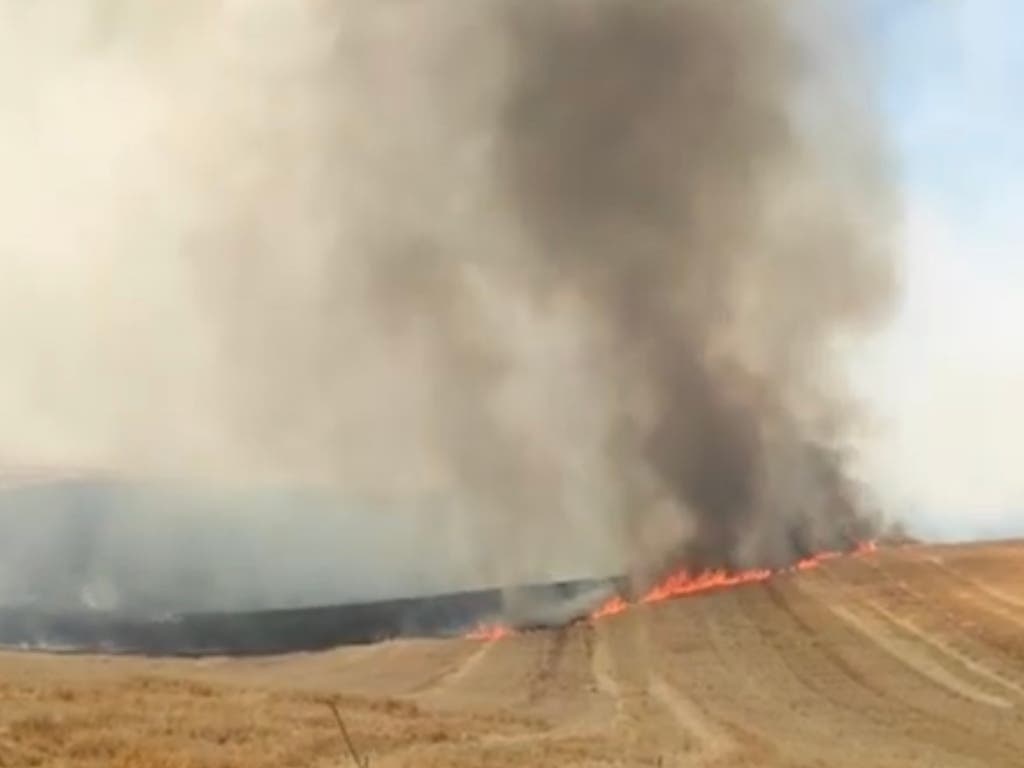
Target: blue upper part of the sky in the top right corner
{"points": [[955, 100]]}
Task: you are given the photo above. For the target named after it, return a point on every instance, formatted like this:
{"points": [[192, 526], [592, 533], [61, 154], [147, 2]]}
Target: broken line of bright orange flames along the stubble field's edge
{"points": [[684, 583]]}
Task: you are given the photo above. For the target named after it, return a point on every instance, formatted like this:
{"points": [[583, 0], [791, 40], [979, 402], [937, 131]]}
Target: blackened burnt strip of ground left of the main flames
{"points": [[290, 630]]}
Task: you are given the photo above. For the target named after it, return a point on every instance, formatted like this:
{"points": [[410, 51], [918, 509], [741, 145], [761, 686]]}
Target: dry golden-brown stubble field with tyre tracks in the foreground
{"points": [[902, 658]]}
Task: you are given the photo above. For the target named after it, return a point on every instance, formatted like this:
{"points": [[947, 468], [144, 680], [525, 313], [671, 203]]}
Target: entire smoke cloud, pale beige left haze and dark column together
{"points": [[583, 272]]}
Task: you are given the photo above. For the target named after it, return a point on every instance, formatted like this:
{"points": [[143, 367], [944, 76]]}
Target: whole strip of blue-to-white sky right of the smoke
{"points": [[949, 376]]}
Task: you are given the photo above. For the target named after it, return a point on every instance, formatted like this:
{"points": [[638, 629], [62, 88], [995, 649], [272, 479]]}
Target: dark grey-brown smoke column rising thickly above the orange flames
{"points": [[713, 246]]}
